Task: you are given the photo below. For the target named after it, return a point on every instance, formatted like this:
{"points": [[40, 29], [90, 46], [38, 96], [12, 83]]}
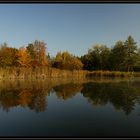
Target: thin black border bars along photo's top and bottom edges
{"points": [[69, 2]]}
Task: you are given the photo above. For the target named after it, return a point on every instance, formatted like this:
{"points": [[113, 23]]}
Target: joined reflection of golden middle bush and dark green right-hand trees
{"points": [[122, 95]]}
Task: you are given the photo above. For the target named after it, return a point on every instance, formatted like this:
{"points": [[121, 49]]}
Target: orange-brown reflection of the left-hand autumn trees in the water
{"points": [[33, 99]]}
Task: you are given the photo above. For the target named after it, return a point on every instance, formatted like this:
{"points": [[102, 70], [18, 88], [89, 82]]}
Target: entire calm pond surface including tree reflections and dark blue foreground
{"points": [[75, 108]]}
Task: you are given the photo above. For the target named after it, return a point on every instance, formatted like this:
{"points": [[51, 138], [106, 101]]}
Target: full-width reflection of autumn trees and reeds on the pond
{"points": [[122, 95]]}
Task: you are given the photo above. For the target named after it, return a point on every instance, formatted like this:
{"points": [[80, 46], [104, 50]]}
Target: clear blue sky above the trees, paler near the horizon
{"points": [[68, 27]]}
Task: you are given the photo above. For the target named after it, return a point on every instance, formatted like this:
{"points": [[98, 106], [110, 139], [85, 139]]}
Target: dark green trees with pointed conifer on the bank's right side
{"points": [[123, 56]]}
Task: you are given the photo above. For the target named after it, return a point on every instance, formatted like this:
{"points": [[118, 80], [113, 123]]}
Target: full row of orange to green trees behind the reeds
{"points": [[123, 56]]}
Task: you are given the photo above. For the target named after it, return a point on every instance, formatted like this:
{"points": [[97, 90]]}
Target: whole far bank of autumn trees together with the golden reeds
{"points": [[33, 61]]}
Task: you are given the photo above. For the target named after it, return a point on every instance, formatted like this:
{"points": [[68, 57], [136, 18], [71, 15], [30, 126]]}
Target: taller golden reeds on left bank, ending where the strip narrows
{"points": [[39, 73]]}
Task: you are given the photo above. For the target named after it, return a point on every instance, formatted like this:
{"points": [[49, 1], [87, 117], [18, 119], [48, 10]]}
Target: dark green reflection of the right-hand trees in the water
{"points": [[121, 95]]}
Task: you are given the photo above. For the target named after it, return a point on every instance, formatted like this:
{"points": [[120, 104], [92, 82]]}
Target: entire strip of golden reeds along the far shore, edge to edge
{"points": [[48, 72]]}
